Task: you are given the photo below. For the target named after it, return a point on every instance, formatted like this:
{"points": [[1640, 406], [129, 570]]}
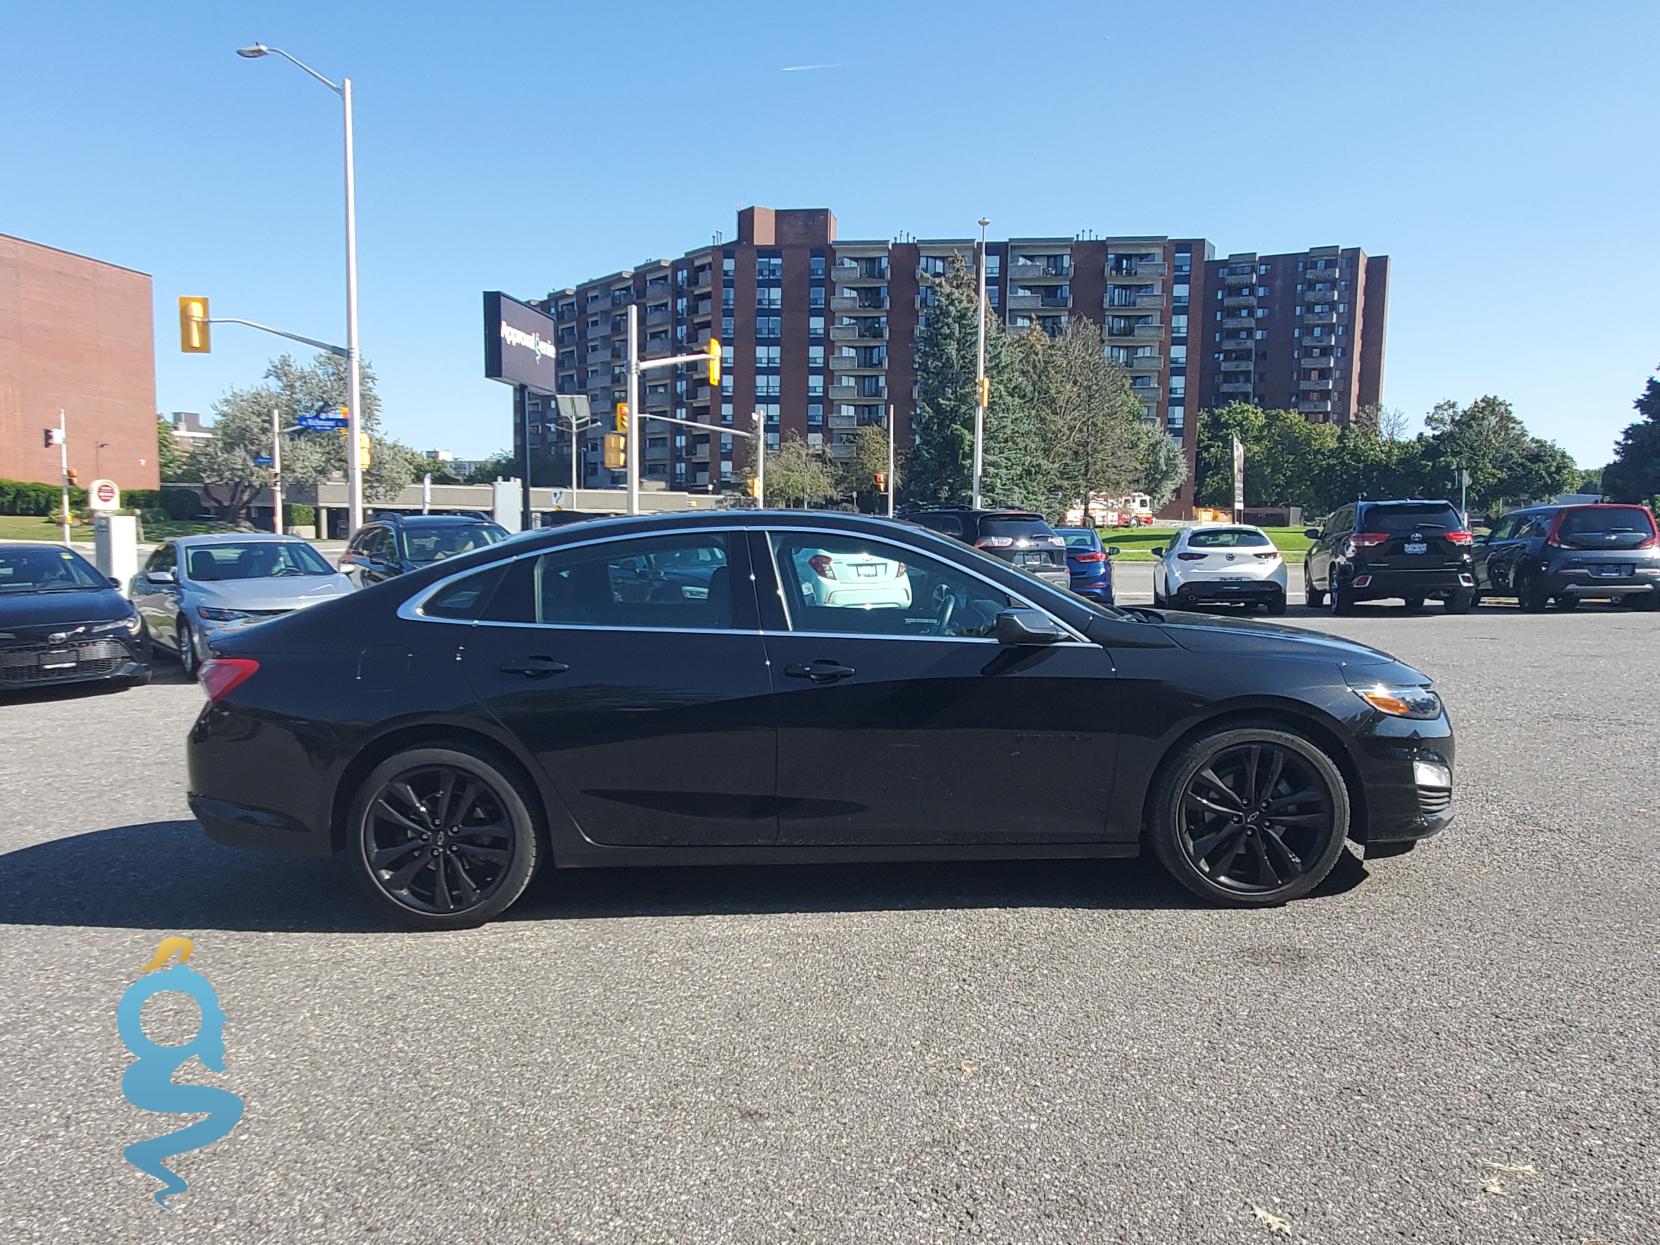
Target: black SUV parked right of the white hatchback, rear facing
{"points": [[1407, 550]]}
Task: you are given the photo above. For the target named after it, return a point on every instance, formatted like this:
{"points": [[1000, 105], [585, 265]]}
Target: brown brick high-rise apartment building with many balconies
{"points": [[819, 336]]}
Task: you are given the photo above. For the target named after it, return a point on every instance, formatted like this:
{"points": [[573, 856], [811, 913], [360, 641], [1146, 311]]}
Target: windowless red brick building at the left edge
{"points": [[77, 334]]}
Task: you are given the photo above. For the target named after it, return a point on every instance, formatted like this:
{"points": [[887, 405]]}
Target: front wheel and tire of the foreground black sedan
{"points": [[1259, 864]]}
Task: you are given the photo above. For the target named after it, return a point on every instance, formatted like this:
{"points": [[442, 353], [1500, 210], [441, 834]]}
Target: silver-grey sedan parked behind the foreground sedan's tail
{"points": [[197, 588]]}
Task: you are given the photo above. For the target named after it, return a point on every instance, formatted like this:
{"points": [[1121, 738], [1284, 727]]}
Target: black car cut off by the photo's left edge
{"points": [[62, 622]]}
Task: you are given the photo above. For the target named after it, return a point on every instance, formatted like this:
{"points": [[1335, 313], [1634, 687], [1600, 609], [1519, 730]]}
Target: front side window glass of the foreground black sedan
{"points": [[861, 587]]}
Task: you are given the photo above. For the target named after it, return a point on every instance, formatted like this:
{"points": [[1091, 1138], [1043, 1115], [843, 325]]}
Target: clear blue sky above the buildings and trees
{"points": [[1500, 154]]}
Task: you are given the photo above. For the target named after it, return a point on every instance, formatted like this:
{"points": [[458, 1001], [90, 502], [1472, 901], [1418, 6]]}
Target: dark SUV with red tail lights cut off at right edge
{"points": [[1570, 554]]}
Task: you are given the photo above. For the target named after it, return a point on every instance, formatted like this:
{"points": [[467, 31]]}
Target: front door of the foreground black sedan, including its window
{"points": [[897, 728]]}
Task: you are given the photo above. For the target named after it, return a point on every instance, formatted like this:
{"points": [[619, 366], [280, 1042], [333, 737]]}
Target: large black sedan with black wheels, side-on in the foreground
{"points": [[570, 700]]}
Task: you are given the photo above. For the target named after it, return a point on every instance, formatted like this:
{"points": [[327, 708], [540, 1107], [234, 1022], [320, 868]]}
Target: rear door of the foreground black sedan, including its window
{"points": [[652, 715]]}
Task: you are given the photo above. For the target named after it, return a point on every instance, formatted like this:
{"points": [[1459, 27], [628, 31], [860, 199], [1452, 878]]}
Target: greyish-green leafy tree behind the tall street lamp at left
{"points": [[242, 434]]}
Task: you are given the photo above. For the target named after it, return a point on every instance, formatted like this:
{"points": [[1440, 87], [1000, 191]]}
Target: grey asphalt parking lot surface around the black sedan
{"points": [[1455, 1045]]}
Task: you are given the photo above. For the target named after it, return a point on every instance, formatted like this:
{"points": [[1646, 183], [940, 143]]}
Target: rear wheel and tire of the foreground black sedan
{"points": [[384, 837]]}
